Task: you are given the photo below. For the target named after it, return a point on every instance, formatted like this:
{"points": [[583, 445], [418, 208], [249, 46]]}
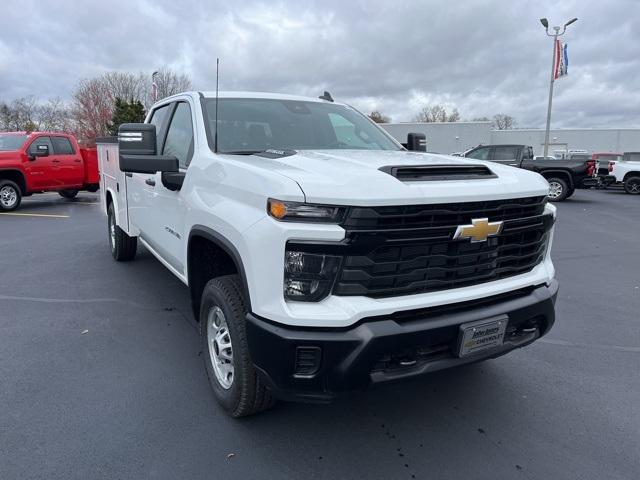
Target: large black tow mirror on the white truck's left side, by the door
{"points": [[137, 149]]}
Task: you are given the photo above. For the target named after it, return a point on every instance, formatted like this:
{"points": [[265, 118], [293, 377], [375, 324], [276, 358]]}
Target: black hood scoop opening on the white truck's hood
{"points": [[425, 173]]}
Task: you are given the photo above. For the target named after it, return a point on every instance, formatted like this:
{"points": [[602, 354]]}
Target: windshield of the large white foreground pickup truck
{"points": [[250, 125]]}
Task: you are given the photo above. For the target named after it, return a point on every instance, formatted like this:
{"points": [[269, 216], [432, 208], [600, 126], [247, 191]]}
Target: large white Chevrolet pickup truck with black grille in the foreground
{"points": [[321, 255]]}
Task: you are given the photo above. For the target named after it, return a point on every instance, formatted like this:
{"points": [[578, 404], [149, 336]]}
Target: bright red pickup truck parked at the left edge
{"points": [[44, 162]]}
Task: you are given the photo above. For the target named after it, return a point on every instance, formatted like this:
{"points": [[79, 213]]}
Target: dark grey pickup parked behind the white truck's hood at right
{"points": [[564, 175]]}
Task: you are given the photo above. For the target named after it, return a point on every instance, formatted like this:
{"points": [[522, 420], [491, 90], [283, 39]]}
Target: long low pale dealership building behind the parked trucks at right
{"points": [[460, 136]]}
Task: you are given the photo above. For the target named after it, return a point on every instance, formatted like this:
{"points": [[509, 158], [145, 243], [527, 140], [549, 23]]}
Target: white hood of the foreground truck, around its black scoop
{"points": [[352, 177]]}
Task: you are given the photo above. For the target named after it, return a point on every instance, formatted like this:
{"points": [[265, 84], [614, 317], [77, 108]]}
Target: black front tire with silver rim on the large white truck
{"points": [[244, 394]]}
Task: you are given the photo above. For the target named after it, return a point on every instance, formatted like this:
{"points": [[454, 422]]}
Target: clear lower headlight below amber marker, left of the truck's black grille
{"points": [[308, 277]]}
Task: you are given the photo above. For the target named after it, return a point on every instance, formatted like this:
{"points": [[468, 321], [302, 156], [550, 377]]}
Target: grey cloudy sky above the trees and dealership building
{"points": [[483, 57]]}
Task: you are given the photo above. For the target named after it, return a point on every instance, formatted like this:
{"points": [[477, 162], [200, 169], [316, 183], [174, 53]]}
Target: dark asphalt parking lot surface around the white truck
{"points": [[101, 374]]}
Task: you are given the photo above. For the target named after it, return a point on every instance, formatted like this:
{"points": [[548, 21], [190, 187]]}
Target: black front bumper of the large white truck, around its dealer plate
{"points": [[318, 364]]}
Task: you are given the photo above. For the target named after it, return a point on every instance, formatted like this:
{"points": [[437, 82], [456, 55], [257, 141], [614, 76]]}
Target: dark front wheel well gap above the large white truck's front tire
{"points": [[206, 260]]}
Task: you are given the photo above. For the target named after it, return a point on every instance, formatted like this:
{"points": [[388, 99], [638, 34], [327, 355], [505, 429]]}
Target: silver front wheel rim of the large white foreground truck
{"points": [[220, 347]]}
